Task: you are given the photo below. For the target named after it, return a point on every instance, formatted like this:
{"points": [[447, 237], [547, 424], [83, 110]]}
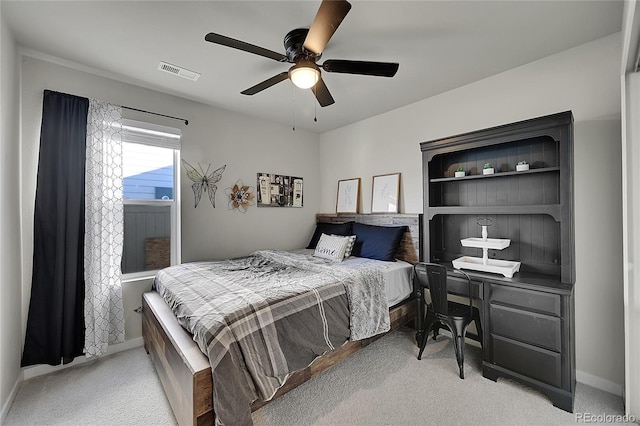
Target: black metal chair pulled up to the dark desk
{"points": [[455, 316]]}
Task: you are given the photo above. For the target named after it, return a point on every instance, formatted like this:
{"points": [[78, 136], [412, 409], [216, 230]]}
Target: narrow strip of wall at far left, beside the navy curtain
{"points": [[10, 280]]}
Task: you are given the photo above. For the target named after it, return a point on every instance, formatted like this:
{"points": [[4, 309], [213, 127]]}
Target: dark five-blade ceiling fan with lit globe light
{"points": [[304, 48]]}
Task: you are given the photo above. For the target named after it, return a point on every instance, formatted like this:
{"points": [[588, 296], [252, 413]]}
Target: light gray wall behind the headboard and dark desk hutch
{"points": [[585, 80]]}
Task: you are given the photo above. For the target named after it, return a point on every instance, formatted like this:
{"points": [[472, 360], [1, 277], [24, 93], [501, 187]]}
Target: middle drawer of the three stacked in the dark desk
{"points": [[537, 329]]}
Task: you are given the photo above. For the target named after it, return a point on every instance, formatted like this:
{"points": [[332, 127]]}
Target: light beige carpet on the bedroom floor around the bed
{"points": [[383, 384]]}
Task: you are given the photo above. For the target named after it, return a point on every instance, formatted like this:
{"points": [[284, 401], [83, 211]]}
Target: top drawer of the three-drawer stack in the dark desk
{"points": [[538, 301]]}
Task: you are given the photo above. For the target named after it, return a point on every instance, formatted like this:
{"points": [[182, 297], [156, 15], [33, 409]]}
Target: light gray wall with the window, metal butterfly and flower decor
{"points": [[245, 144]]}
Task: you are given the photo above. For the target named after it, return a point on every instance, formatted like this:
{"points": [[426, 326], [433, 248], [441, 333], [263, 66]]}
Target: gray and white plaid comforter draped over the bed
{"points": [[260, 318]]}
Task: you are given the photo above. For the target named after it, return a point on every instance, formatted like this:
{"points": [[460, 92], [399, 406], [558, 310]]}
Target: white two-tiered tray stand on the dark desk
{"points": [[496, 266]]}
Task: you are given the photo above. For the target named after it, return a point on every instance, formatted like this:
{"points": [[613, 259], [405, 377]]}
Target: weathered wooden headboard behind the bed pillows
{"points": [[409, 250]]}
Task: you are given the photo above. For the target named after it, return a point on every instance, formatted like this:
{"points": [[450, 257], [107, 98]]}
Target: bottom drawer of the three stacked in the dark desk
{"points": [[537, 363]]}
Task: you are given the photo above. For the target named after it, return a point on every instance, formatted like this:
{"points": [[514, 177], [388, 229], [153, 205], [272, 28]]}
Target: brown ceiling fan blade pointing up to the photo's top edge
{"points": [[329, 16]]}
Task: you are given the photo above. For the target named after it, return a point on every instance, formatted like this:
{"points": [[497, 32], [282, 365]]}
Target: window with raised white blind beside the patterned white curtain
{"points": [[151, 156]]}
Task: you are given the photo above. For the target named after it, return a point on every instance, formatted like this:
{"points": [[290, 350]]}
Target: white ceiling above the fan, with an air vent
{"points": [[440, 45]]}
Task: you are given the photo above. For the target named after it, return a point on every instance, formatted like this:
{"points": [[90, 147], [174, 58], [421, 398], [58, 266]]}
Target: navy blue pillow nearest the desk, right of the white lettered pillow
{"points": [[377, 242]]}
